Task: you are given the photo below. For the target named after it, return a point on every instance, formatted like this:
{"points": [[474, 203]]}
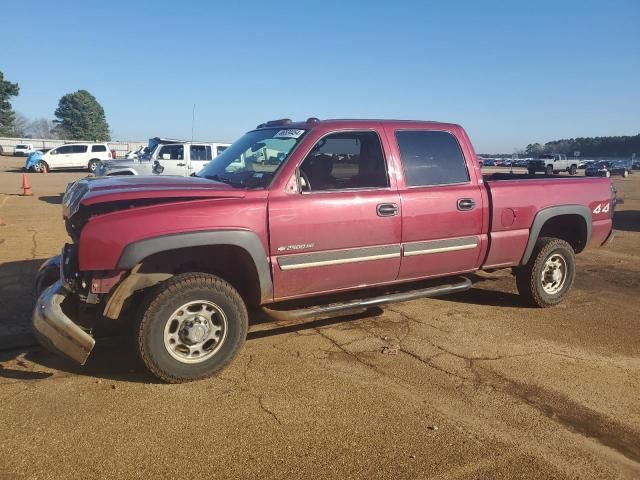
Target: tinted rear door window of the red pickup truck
{"points": [[431, 158]]}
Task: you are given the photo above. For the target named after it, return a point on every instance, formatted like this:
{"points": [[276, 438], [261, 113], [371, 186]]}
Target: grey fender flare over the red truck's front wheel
{"points": [[135, 252]]}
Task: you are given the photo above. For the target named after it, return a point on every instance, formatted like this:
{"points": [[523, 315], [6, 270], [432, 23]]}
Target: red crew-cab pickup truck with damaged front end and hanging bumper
{"points": [[304, 219]]}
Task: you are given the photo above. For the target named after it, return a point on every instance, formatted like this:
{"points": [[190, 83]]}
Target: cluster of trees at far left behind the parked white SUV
{"points": [[79, 116]]}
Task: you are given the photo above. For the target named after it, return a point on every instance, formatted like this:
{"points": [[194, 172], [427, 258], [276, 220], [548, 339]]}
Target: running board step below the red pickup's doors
{"points": [[316, 312]]}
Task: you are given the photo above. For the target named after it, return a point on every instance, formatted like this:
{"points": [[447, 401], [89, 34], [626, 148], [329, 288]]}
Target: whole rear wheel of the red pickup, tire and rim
{"points": [[548, 275]]}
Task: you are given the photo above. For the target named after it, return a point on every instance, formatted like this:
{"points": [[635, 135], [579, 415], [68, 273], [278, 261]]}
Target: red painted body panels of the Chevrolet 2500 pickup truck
{"points": [[328, 222]]}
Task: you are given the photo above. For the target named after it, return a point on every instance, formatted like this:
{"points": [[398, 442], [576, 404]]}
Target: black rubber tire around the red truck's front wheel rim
{"points": [[171, 296]]}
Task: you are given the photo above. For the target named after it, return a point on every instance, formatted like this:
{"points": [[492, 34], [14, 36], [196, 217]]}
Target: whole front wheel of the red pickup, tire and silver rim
{"points": [[191, 327]]}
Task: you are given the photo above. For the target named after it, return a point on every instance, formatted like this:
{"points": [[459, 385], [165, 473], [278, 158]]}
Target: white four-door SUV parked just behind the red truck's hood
{"points": [[179, 158]]}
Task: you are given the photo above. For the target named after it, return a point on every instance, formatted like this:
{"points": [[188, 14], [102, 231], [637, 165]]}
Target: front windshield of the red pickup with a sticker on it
{"points": [[252, 161]]}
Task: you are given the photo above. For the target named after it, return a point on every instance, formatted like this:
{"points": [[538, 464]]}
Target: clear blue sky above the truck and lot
{"points": [[510, 72]]}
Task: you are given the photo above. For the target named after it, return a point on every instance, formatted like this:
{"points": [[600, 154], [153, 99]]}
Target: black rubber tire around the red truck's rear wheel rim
{"points": [[529, 277]]}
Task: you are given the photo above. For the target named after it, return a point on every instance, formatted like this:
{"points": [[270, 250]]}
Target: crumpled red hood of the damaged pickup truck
{"points": [[136, 190]]}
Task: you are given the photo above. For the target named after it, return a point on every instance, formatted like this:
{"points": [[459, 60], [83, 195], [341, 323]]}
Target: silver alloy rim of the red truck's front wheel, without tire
{"points": [[195, 331]]}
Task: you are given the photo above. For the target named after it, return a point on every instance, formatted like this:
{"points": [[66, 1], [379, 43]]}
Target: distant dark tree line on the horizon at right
{"points": [[621, 146]]}
